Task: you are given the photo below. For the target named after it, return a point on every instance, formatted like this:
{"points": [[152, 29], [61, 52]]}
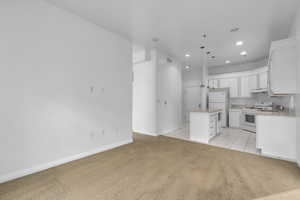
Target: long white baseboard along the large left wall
{"points": [[35, 169]]}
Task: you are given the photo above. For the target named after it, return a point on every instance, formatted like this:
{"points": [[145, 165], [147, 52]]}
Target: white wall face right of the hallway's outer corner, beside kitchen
{"points": [[169, 94]]}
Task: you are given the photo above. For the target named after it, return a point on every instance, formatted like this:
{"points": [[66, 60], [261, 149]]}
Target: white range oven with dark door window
{"points": [[248, 120]]}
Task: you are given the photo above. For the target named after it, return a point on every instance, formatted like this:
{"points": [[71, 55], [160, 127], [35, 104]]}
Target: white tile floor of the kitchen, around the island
{"points": [[235, 139]]}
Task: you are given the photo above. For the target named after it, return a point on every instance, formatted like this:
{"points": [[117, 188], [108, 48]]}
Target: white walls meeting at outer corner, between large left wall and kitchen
{"points": [[157, 95]]}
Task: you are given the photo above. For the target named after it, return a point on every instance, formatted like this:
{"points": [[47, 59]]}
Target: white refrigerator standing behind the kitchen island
{"points": [[218, 99]]}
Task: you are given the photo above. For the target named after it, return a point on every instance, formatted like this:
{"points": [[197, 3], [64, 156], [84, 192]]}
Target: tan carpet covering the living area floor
{"points": [[159, 168]]}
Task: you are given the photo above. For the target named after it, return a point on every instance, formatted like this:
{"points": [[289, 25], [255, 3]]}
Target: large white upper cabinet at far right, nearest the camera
{"points": [[283, 67]]}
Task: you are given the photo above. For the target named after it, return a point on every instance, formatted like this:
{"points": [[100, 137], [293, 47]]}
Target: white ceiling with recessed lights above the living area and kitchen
{"points": [[179, 24]]}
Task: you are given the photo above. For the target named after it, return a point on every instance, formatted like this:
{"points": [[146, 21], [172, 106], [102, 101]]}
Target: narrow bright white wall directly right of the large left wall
{"points": [[144, 96]]}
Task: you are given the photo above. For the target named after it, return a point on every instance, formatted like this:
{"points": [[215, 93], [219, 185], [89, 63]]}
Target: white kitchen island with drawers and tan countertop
{"points": [[204, 125]]}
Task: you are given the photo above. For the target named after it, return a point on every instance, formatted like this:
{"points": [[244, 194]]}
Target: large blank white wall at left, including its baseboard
{"points": [[65, 87]]}
